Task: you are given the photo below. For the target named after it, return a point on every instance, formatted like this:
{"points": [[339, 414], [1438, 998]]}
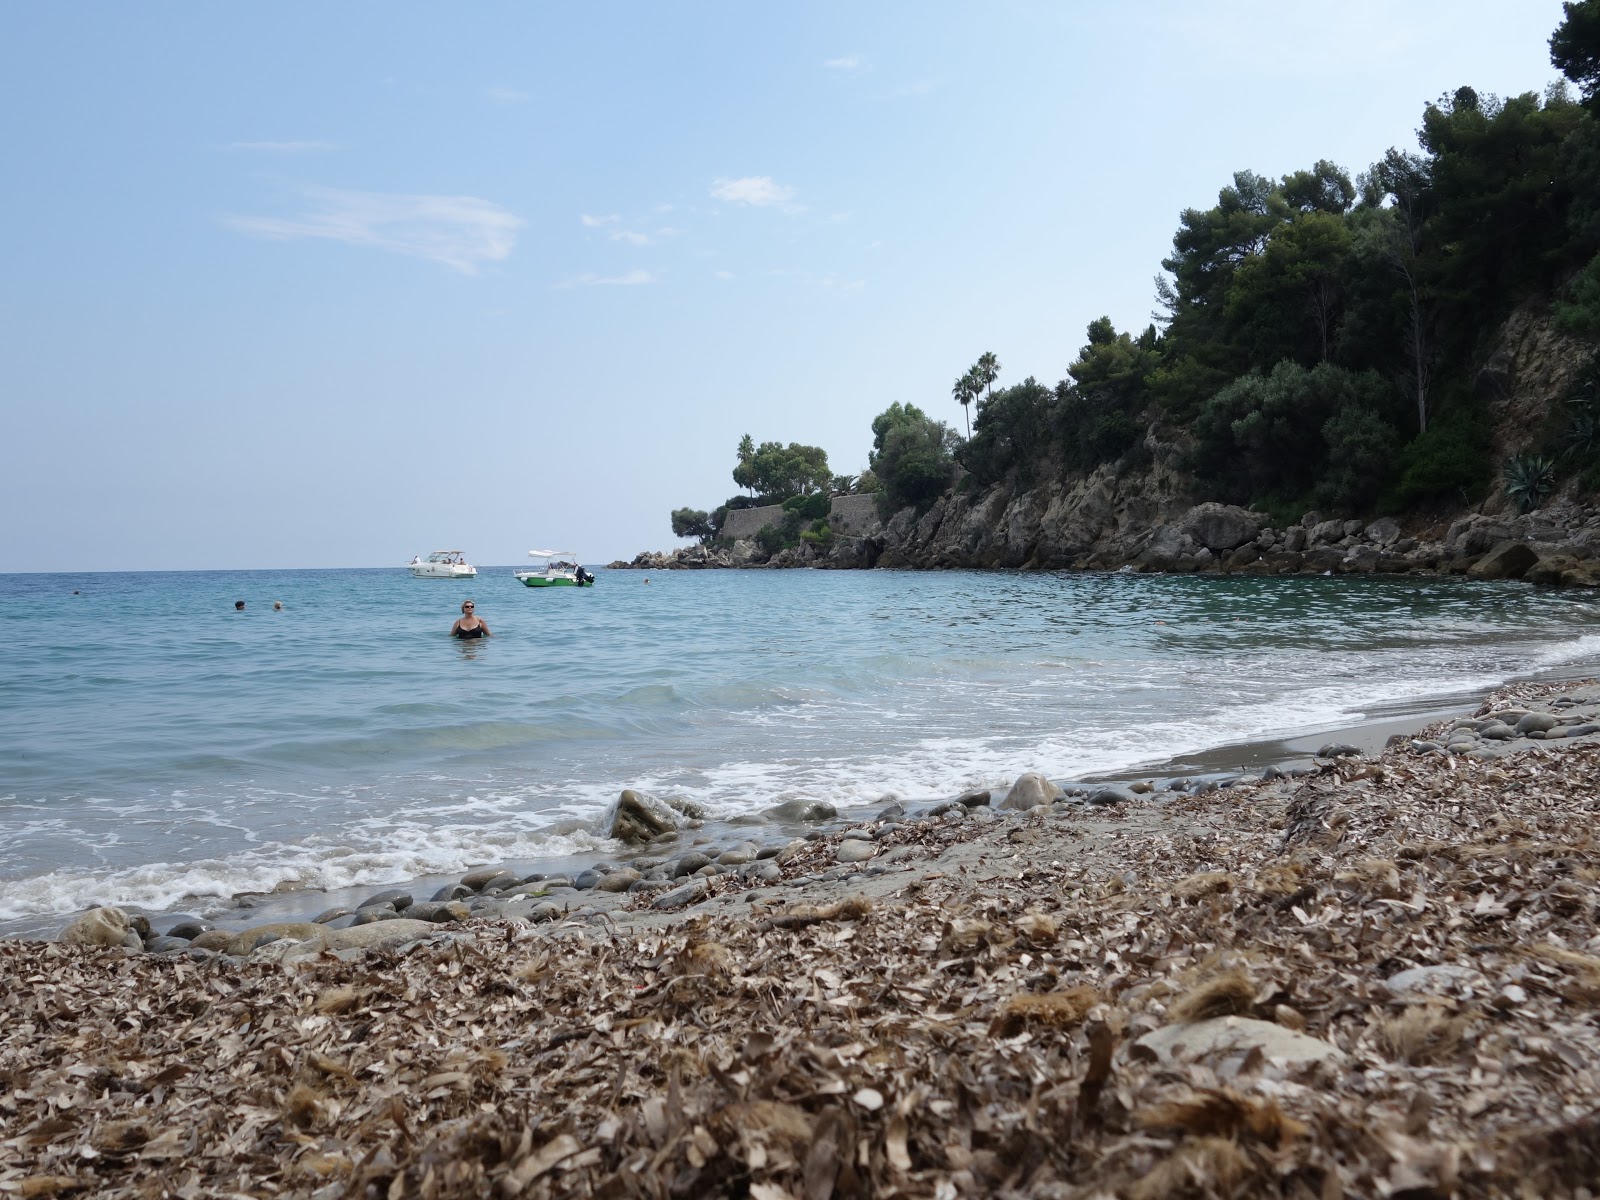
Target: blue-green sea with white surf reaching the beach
{"points": [[161, 750]]}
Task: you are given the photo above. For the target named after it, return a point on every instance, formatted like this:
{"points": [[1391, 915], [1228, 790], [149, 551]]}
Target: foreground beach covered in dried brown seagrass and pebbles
{"points": [[1374, 977]]}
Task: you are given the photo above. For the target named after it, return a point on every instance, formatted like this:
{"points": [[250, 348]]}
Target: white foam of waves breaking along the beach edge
{"points": [[401, 839]]}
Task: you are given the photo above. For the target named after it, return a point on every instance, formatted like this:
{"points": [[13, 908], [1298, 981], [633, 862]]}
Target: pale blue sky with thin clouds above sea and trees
{"points": [[332, 286]]}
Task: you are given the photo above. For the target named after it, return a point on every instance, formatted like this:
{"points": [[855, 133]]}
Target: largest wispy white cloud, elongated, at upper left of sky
{"points": [[460, 231]]}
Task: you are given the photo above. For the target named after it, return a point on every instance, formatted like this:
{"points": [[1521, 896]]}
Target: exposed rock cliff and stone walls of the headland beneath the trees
{"points": [[1145, 516]]}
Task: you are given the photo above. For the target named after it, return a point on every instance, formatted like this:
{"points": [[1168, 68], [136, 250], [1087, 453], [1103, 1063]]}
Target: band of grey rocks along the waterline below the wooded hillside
{"points": [[1558, 546]]}
